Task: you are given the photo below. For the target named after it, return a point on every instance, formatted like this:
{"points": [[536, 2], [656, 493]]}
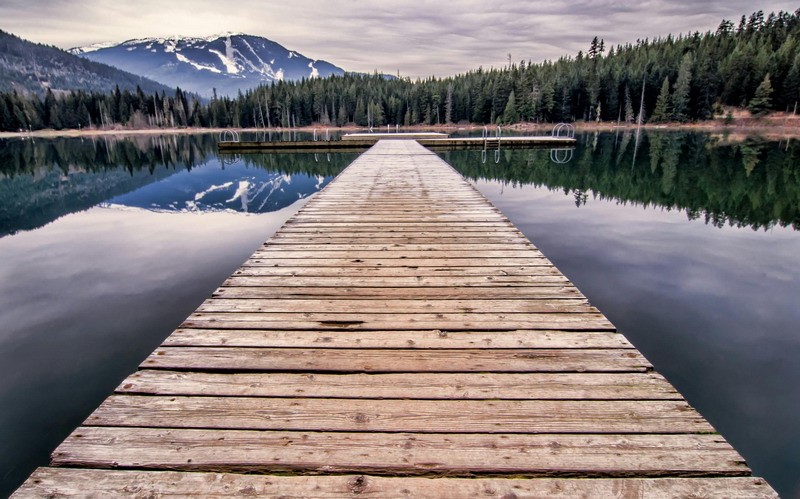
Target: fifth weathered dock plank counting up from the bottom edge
{"points": [[409, 361]]}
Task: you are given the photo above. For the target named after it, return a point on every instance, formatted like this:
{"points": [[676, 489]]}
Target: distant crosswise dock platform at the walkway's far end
{"points": [[360, 142]]}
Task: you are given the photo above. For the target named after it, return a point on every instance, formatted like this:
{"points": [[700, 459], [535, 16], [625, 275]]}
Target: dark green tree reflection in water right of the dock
{"points": [[751, 182]]}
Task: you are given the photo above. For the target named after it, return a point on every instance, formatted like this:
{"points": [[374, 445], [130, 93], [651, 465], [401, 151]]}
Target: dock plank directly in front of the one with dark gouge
{"points": [[397, 339]]}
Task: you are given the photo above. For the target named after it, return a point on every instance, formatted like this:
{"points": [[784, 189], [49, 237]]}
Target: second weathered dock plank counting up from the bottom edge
{"points": [[400, 453]]}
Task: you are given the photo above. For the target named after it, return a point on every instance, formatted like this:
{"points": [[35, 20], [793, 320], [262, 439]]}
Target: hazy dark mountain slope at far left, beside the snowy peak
{"points": [[31, 67]]}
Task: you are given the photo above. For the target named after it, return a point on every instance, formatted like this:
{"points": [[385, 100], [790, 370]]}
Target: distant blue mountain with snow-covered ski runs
{"points": [[227, 63]]}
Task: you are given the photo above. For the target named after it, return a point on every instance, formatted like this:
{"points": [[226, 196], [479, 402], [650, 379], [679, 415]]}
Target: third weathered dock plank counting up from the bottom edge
{"points": [[394, 415]]}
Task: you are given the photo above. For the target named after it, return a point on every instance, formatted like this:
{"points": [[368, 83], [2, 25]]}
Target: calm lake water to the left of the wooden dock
{"points": [[105, 247]]}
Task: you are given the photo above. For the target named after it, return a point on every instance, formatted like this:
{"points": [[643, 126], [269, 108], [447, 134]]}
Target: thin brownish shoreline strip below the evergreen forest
{"points": [[774, 127]]}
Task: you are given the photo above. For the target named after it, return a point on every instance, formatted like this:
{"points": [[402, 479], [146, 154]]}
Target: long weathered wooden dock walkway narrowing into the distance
{"points": [[397, 337]]}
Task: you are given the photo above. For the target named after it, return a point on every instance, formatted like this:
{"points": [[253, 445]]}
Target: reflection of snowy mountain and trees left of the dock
{"points": [[43, 180]]}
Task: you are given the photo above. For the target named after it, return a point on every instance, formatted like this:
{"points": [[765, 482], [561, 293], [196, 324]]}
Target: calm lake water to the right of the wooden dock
{"points": [[692, 250]]}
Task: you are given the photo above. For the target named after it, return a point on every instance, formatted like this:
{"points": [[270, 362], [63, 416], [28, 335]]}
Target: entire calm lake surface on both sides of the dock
{"points": [[687, 242]]}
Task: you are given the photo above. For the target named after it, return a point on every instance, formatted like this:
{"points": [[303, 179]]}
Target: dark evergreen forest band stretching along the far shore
{"points": [[753, 64]]}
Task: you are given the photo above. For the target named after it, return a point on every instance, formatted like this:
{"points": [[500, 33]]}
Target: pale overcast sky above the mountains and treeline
{"points": [[417, 37]]}
